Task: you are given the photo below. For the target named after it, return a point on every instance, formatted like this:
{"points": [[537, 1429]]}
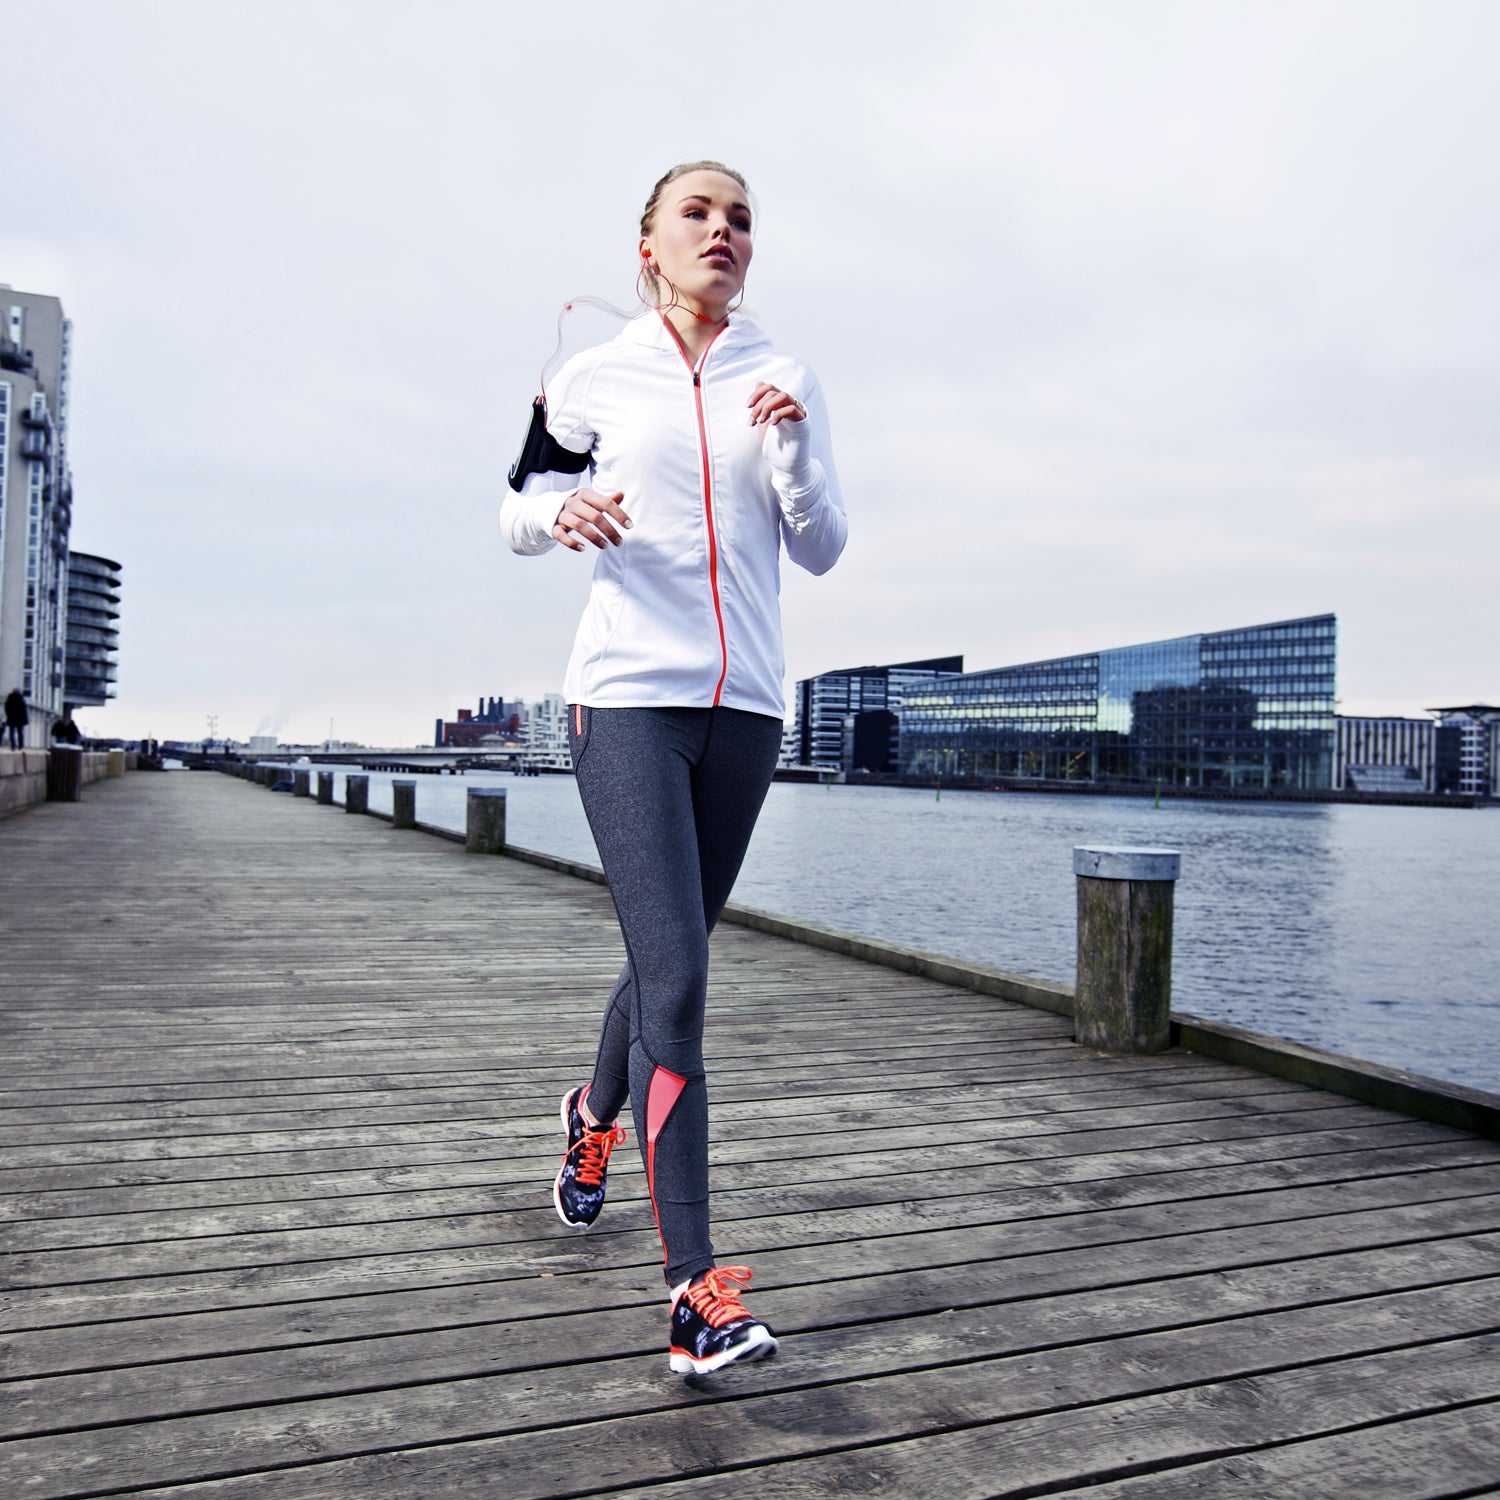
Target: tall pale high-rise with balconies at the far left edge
{"points": [[35, 502]]}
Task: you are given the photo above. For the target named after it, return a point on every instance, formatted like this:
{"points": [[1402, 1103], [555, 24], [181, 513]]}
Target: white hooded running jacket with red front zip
{"points": [[686, 613]]}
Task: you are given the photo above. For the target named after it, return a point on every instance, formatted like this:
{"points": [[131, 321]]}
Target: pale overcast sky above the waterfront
{"points": [[1135, 320]]}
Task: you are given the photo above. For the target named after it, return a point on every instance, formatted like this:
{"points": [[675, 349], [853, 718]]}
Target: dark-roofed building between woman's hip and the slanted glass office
{"points": [[850, 719]]}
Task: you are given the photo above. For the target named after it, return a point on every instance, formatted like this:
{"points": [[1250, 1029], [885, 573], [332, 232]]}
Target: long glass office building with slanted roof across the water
{"points": [[1232, 709]]}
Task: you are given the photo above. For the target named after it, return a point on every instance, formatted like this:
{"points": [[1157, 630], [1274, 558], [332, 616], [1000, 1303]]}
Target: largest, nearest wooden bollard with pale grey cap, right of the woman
{"points": [[1124, 989]]}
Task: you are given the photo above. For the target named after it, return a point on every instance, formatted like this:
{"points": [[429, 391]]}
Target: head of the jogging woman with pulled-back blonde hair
{"points": [[700, 241]]}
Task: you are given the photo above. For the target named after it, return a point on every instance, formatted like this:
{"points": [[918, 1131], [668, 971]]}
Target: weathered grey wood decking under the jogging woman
{"points": [[278, 1115]]}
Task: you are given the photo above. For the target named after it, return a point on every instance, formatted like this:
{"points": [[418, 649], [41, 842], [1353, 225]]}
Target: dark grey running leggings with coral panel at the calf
{"points": [[671, 796]]}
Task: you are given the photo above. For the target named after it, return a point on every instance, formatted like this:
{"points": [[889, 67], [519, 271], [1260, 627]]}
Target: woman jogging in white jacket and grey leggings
{"points": [[707, 451]]}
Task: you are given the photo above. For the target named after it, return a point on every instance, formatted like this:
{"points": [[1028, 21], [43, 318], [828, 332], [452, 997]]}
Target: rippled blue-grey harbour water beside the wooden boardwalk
{"points": [[1366, 931]]}
